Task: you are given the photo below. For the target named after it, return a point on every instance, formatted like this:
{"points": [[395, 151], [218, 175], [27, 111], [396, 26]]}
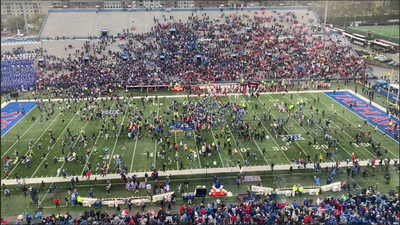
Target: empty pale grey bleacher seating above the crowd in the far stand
{"points": [[83, 23]]}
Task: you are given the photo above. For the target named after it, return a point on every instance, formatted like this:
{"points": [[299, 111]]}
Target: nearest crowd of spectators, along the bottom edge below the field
{"points": [[365, 207]]}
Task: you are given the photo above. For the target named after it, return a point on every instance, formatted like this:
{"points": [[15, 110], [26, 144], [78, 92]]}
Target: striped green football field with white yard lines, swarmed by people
{"points": [[141, 155]]}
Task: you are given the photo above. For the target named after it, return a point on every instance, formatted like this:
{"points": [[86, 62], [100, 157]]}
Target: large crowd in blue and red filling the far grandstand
{"points": [[276, 46]]}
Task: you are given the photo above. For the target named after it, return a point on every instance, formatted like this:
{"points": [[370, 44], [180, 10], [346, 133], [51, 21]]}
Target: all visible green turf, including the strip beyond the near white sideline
{"points": [[135, 155]]}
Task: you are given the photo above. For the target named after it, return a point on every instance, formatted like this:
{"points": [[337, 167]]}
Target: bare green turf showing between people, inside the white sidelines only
{"points": [[135, 157]]}
